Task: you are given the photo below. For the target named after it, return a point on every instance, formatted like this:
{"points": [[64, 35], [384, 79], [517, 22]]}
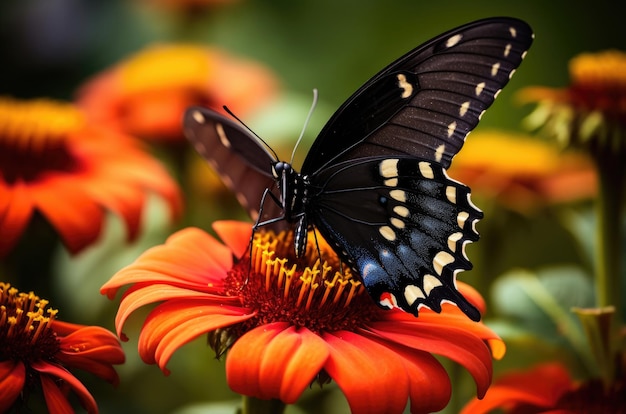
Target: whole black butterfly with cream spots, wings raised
{"points": [[374, 182]]}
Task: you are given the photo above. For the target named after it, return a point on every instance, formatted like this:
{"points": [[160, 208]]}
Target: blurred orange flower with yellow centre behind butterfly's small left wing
{"points": [[146, 94]]}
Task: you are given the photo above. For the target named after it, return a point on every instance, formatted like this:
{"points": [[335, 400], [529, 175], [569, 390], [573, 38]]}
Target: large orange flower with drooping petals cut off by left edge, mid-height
{"points": [[70, 171]]}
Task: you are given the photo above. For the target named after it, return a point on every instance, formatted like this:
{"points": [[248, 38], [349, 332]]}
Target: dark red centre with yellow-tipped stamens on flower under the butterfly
{"points": [[279, 287]]}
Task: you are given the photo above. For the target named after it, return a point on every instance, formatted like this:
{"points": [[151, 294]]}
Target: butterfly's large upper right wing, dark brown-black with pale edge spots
{"points": [[425, 103]]}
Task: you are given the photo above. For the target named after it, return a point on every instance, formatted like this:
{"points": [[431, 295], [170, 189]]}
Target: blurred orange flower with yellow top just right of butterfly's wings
{"points": [[523, 173]]}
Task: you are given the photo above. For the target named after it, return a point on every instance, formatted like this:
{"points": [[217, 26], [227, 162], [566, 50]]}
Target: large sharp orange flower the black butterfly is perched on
{"points": [[285, 323]]}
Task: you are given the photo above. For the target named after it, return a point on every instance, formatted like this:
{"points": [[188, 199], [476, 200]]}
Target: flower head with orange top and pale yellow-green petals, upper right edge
{"points": [[592, 110]]}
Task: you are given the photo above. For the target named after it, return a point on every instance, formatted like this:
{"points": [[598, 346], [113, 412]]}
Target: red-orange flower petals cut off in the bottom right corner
{"points": [[549, 388]]}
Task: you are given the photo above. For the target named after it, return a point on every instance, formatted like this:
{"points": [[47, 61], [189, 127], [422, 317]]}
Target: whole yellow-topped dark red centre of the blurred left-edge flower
{"points": [[33, 139]]}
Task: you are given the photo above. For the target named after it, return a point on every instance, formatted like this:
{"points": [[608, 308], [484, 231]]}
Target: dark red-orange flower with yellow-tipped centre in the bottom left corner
{"points": [[36, 351]]}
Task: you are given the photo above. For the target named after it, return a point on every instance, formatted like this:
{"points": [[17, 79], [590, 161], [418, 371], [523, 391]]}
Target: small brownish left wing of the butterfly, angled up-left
{"points": [[243, 163]]}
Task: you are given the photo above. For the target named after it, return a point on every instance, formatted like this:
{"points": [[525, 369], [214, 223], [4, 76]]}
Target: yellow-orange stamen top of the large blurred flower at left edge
{"points": [[38, 124]]}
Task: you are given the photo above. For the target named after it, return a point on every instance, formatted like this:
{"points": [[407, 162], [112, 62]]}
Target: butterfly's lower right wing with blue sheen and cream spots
{"points": [[406, 230]]}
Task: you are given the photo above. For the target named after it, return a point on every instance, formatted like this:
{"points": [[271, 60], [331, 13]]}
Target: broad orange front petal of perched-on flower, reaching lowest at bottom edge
{"points": [[371, 376]]}
